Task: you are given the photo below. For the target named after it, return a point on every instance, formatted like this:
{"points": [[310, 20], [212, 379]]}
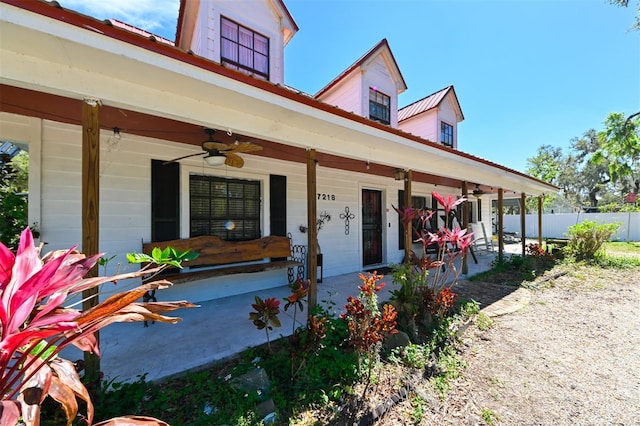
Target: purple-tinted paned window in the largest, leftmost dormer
{"points": [[243, 49]]}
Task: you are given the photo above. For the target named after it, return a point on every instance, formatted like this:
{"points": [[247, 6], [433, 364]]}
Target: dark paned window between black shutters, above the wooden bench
{"points": [[226, 208]]}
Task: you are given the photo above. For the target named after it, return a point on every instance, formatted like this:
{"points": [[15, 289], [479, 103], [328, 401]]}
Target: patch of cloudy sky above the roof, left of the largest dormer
{"points": [[156, 16]]}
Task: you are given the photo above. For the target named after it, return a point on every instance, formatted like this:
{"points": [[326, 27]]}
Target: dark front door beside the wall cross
{"points": [[371, 227]]}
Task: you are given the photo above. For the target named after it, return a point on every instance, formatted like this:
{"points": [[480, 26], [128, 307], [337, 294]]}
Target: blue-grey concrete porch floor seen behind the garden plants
{"points": [[219, 329]]}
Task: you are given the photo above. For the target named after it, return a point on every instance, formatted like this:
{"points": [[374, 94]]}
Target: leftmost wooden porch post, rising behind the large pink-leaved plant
{"points": [[91, 212]]}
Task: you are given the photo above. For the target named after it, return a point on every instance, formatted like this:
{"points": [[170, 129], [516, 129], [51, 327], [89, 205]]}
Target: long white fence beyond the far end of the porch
{"points": [[556, 225]]}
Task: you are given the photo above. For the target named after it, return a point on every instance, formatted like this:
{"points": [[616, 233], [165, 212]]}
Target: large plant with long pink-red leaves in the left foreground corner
{"points": [[35, 326]]}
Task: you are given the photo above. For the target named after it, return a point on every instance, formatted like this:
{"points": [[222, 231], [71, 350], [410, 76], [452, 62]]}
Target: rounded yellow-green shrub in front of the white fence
{"points": [[587, 238]]}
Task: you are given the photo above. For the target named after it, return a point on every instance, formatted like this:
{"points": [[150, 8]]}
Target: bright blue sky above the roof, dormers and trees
{"points": [[527, 73]]}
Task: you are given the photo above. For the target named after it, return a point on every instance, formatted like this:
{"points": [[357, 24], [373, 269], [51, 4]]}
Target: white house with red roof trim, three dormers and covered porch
{"points": [[104, 109]]}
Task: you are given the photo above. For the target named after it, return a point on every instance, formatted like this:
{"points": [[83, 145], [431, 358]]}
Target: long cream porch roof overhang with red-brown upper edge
{"points": [[86, 58]]}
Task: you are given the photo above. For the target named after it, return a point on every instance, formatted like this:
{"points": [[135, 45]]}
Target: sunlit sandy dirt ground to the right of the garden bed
{"points": [[570, 357]]}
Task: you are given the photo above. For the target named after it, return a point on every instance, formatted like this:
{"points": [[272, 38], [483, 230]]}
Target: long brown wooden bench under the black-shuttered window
{"points": [[217, 257]]}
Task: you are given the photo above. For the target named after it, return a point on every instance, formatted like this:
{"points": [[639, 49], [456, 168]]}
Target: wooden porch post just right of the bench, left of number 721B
{"points": [[312, 241]]}
